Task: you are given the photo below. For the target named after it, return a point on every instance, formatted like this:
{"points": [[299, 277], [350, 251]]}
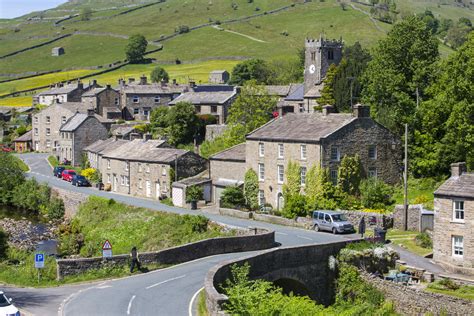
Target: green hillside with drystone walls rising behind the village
{"points": [[101, 40]]}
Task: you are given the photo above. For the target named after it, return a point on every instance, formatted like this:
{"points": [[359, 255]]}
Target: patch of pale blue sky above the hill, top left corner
{"points": [[14, 8]]}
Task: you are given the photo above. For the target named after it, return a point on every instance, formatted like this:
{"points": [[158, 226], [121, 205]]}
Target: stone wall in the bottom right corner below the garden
{"points": [[411, 301]]}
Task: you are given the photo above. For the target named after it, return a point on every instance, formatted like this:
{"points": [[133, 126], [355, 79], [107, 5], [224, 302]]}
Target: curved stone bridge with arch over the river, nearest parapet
{"points": [[303, 270]]}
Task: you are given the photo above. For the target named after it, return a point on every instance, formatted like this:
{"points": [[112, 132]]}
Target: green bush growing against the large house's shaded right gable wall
{"points": [[349, 174]]}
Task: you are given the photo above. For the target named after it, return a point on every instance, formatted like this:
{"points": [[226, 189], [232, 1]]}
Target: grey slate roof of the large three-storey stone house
{"points": [[307, 127]]}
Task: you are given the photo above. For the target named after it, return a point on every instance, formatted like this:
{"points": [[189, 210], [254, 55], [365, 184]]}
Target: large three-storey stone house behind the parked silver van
{"points": [[321, 139]]}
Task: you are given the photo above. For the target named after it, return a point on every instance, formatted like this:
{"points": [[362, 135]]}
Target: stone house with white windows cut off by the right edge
{"points": [[453, 234]]}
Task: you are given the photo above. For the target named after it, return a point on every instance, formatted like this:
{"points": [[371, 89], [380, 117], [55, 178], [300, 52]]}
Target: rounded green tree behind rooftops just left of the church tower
{"points": [[252, 69]]}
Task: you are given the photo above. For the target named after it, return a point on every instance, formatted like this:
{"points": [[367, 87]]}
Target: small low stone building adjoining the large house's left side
{"points": [[227, 168]]}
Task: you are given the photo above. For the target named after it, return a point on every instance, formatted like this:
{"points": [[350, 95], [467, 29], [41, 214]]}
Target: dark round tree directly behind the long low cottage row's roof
{"points": [[183, 123]]}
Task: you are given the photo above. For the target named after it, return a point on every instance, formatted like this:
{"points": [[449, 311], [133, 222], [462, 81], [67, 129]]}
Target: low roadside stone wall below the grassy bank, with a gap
{"points": [[254, 239]]}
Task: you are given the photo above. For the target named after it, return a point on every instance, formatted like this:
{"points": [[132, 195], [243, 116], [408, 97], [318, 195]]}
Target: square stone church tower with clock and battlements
{"points": [[319, 55]]}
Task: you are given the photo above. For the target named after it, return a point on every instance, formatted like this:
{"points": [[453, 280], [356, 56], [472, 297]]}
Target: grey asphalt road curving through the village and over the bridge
{"points": [[162, 292]]}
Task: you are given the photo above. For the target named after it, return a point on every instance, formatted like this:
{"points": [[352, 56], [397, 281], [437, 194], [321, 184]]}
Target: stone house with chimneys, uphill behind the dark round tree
{"points": [[138, 99]]}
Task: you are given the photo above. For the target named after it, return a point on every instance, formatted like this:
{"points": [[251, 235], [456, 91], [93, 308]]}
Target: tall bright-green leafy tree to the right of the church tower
{"points": [[402, 63]]}
